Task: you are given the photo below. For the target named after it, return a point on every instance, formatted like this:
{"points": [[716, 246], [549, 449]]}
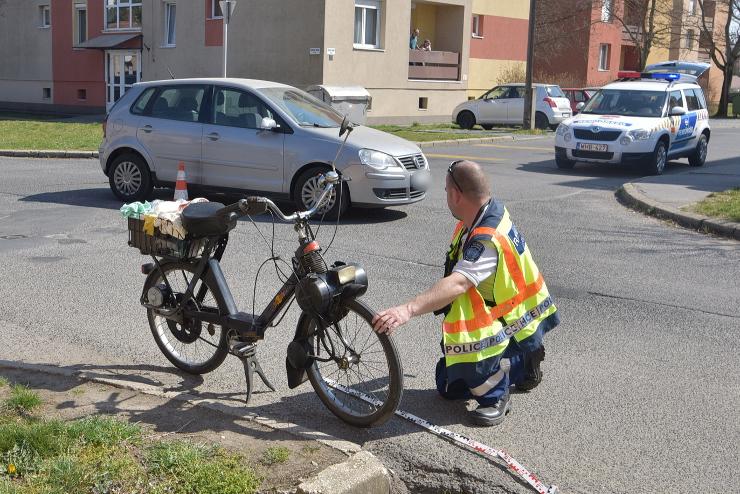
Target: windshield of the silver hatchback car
{"points": [[302, 107]]}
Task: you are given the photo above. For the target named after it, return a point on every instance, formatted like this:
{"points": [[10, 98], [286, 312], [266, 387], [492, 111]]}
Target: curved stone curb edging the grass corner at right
{"points": [[629, 195]]}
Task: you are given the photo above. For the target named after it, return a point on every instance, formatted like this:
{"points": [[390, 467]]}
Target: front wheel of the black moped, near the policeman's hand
{"points": [[364, 363]]}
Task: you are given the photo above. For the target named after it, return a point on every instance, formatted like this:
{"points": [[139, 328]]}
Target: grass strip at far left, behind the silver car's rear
{"points": [[18, 131]]}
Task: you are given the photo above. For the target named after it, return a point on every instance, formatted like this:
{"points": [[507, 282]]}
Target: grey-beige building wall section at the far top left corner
{"points": [[25, 51]]}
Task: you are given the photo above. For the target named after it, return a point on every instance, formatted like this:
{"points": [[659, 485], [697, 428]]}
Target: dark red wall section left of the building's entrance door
{"points": [[77, 69]]}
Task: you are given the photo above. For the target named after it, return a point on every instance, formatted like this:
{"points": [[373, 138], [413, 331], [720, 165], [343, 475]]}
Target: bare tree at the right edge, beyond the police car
{"points": [[720, 40]]}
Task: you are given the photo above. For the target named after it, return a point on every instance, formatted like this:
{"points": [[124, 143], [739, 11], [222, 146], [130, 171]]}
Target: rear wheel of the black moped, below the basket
{"points": [[193, 346]]}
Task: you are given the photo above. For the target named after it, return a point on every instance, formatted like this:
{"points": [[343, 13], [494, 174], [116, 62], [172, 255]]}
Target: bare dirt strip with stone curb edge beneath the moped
{"points": [[312, 465]]}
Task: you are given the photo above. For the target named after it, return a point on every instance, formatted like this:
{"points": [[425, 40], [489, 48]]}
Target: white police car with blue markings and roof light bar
{"points": [[642, 118]]}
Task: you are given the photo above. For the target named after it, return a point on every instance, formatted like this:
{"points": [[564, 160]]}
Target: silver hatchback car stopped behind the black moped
{"points": [[252, 136]]}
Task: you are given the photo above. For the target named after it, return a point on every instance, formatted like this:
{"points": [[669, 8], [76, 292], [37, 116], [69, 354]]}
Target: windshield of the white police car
{"points": [[625, 102]]}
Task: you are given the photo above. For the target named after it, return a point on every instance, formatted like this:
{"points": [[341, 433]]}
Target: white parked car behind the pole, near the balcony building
{"points": [[505, 105]]}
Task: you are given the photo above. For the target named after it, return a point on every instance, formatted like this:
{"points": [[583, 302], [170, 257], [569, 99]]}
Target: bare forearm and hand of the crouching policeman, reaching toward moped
{"points": [[439, 295]]}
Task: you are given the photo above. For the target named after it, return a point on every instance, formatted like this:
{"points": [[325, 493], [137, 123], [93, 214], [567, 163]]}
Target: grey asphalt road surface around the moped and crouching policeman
{"points": [[641, 389]]}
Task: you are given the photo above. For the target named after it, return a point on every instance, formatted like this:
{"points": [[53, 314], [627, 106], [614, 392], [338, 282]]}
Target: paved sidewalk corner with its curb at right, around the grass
{"points": [[666, 196]]}
